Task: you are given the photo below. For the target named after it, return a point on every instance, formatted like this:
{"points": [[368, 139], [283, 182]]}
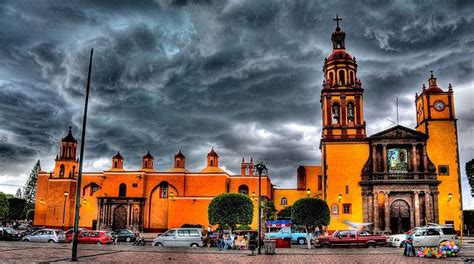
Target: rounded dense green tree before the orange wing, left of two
{"points": [[230, 209]]}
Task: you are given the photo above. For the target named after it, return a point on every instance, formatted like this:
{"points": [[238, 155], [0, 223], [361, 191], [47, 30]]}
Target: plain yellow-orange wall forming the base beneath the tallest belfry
{"points": [[343, 163]]}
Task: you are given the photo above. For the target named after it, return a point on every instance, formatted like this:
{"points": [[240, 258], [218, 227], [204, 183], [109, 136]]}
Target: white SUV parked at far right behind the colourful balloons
{"points": [[426, 236]]}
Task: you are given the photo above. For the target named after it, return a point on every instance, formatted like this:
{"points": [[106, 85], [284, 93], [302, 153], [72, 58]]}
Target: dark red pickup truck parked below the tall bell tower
{"points": [[351, 238]]}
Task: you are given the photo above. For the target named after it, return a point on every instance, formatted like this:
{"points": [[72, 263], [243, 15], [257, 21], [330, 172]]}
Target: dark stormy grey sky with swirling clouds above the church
{"points": [[242, 76]]}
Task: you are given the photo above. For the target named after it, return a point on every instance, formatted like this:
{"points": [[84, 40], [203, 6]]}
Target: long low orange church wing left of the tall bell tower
{"points": [[147, 199]]}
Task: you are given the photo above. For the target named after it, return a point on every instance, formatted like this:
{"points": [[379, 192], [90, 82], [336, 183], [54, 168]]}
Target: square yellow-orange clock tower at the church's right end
{"points": [[435, 116]]}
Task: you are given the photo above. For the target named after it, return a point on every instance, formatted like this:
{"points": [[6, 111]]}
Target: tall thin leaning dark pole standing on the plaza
{"points": [[81, 160]]}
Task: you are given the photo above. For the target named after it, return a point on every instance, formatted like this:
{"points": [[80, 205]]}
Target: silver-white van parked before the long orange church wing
{"points": [[180, 237]]}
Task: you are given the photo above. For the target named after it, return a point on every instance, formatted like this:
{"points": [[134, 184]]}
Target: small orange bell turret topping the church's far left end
{"points": [[66, 164]]}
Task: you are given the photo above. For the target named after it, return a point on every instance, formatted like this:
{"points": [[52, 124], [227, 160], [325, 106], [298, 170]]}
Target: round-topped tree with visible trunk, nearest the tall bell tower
{"points": [[310, 212]]}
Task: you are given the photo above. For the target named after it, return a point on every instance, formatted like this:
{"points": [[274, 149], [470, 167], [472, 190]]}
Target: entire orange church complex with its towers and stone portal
{"points": [[395, 179]]}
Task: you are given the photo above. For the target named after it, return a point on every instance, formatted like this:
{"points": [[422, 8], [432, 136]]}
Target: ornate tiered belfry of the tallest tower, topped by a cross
{"points": [[342, 93]]}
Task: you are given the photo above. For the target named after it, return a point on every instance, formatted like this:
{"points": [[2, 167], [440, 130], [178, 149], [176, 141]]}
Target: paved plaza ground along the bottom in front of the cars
{"points": [[37, 252]]}
